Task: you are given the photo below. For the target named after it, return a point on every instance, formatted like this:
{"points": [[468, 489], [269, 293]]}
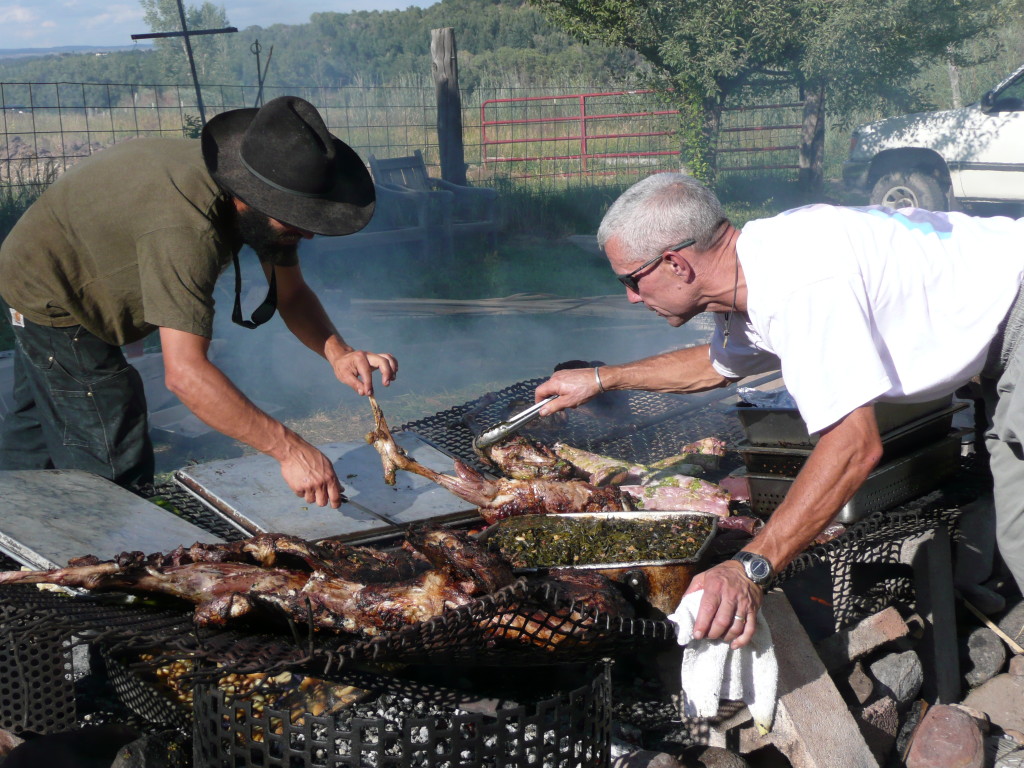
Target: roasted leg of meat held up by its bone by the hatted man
{"points": [[496, 499]]}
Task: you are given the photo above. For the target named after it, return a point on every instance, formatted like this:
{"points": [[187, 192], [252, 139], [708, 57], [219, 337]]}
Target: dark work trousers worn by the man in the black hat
{"points": [[77, 405]]}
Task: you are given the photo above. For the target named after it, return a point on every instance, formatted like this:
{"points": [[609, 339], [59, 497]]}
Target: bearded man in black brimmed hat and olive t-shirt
{"points": [[131, 242]]}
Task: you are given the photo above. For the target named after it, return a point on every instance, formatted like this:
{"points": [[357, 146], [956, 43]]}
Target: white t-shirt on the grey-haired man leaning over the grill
{"points": [[865, 305]]}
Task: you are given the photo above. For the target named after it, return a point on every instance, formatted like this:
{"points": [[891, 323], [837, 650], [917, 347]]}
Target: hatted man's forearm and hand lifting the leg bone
{"points": [[305, 315]]}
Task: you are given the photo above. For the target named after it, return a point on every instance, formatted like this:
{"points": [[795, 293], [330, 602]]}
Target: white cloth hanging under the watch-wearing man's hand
{"points": [[712, 671]]}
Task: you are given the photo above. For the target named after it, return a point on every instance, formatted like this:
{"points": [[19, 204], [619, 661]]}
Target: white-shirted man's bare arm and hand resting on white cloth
{"points": [[843, 459]]}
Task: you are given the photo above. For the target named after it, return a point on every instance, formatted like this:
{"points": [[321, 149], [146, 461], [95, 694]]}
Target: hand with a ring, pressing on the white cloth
{"points": [[730, 607]]}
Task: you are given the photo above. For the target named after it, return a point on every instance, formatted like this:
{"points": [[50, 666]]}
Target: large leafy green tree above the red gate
{"points": [[843, 55]]}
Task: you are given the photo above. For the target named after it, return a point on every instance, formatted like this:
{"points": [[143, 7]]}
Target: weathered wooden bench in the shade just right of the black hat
{"points": [[466, 210]]}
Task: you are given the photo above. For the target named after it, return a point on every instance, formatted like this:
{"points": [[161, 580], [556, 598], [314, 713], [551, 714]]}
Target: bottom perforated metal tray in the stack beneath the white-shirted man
{"points": [[890, 485]]}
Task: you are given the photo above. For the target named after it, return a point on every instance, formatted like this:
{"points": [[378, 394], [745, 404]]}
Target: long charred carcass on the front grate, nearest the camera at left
{"points": [[225, 590]]}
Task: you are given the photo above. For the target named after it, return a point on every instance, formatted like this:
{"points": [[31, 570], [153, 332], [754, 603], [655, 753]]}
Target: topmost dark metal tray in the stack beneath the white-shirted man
{"points": [[785, 426]]}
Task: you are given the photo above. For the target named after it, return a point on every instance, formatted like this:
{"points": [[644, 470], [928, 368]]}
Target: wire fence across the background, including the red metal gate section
{"points": [[48, 127]]}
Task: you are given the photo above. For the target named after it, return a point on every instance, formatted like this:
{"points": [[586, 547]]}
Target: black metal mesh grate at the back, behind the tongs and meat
{"points": [[632, 426]]}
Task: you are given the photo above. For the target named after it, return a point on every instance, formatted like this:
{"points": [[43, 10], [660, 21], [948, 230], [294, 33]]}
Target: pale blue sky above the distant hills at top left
{"points": [[47, 24]]}
